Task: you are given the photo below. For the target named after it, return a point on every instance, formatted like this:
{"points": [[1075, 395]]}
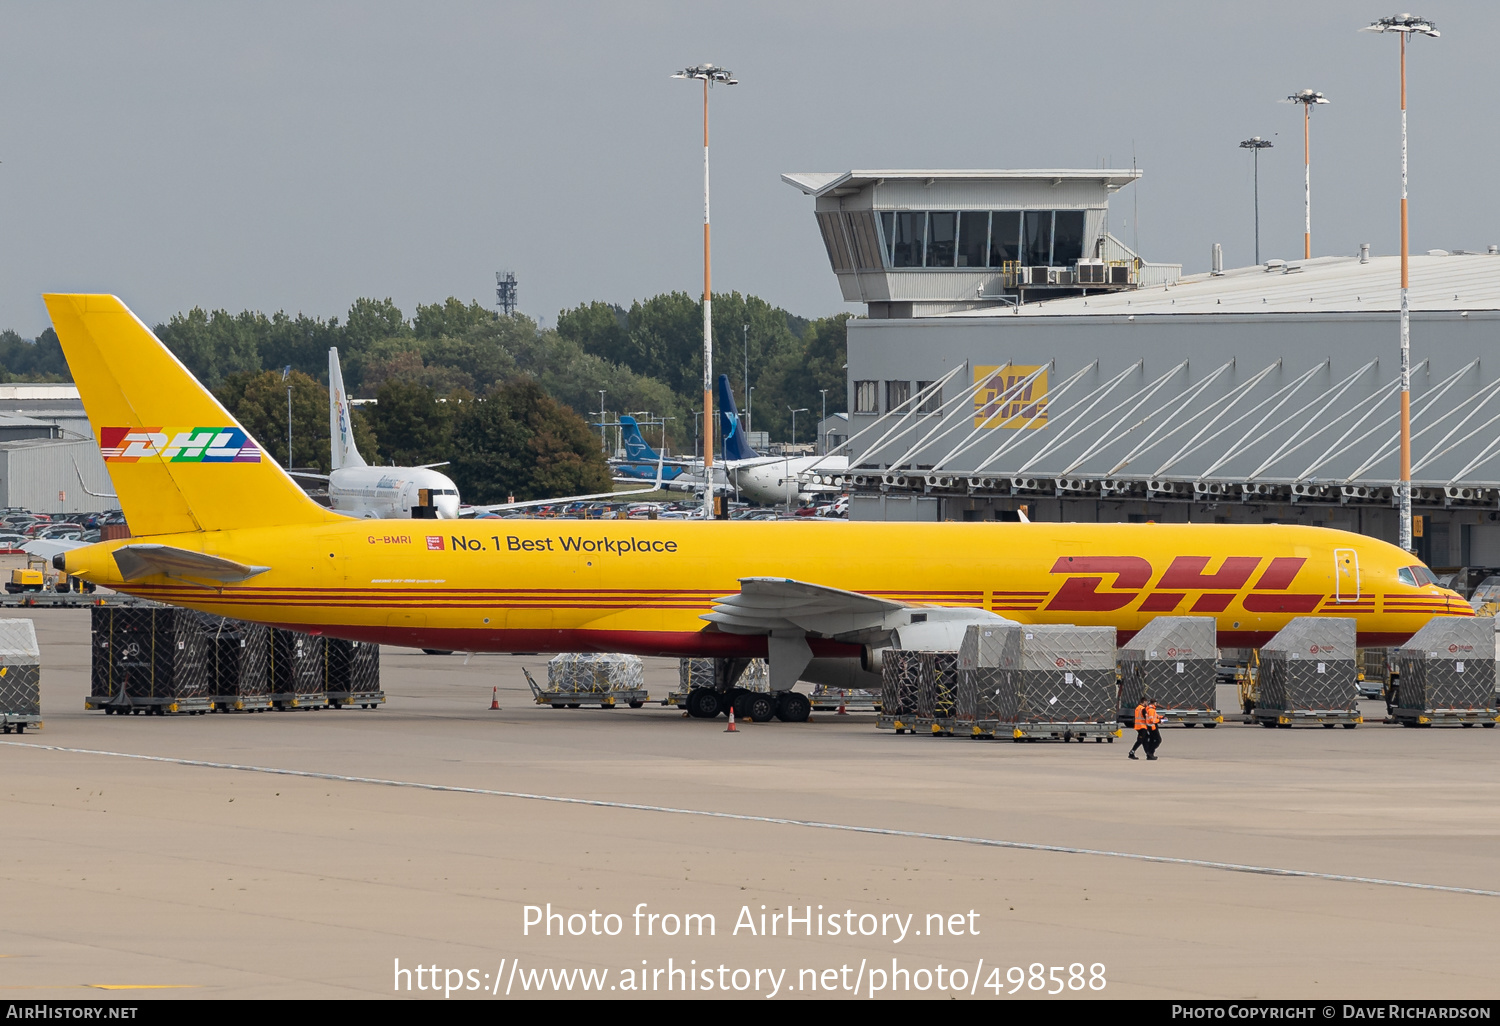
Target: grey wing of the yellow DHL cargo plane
{"points": [[779, 604]]}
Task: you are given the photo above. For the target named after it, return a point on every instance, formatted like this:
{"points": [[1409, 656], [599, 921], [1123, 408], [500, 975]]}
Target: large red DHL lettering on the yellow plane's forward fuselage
{"points": [[1270, 593]]}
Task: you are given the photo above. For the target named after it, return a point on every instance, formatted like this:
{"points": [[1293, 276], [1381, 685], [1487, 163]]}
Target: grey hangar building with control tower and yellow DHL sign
{"points": [[1094, 386]]}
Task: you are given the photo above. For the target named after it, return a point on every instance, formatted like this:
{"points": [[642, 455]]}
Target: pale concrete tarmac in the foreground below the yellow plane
{"points": [[175, 880]]}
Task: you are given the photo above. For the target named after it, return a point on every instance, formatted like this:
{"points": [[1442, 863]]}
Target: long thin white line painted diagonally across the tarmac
{"points": [[779, 821]]}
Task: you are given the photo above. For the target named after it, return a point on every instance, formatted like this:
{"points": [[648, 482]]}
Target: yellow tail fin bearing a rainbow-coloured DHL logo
{"points": [[178, 460]]}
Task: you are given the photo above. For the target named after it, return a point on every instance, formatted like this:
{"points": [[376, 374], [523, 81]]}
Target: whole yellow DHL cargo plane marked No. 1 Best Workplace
{"points": [[223, 529]]}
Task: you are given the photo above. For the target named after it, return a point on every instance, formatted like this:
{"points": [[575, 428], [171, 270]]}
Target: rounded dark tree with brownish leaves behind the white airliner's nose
{"points": [[521, 442]]}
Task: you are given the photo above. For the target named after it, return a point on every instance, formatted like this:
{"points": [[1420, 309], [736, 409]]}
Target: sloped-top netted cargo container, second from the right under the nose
{"points": [[1307, 674]]}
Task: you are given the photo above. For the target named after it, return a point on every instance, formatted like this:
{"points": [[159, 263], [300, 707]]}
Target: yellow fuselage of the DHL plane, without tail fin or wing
{"points": [[641, 586]]}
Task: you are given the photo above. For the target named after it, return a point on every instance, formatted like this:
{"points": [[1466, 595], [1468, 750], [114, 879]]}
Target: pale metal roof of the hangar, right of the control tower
{"points": [[1322, 286]]}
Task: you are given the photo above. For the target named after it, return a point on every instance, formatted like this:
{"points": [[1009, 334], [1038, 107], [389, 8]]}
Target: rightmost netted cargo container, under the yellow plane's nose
{"points": [[1448, 674]]}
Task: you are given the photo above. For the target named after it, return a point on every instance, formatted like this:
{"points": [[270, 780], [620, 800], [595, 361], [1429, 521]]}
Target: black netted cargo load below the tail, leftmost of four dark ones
{"points": [[149, 661]]}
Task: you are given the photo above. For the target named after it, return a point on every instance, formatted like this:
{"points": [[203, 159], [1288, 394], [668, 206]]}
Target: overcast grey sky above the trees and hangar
{"points": [[301, 155]]}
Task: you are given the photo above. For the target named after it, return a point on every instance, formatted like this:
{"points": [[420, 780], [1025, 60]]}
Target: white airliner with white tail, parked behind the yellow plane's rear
{"points": [[379, 493]]}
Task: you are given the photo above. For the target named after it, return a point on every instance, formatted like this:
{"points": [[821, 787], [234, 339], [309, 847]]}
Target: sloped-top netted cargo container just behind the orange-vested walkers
{"points": [[1172, 661]]}
